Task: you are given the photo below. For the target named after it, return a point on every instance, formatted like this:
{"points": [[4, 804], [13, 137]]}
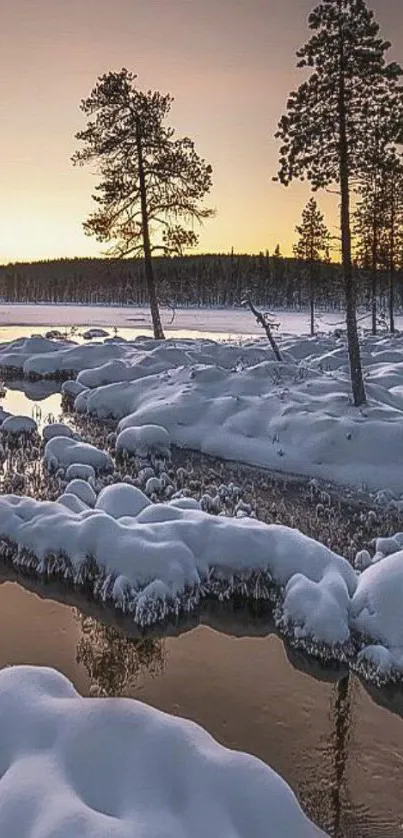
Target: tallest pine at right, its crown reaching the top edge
{"points": [[324, 131]]}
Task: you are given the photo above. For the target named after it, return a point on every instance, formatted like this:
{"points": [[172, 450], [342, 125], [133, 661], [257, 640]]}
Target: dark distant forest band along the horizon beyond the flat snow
{"points": [[207, 280]]}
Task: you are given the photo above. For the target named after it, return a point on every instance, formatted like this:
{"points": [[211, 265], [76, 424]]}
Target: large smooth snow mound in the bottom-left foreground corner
{"points": [[115, 768]]}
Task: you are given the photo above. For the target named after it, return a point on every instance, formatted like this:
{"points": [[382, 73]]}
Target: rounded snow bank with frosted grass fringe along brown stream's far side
{"points": [[157, 560]]}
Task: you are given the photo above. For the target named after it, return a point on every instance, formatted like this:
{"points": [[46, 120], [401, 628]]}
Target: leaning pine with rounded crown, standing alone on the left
{"points": [[150, 181]]}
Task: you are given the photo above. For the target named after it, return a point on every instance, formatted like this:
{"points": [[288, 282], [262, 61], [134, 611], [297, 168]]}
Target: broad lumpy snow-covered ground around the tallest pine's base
{"points": [[236, 402]]}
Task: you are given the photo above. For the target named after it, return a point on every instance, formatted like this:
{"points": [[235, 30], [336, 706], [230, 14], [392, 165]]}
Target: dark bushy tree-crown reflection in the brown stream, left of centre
{"points": [[115, 662]]}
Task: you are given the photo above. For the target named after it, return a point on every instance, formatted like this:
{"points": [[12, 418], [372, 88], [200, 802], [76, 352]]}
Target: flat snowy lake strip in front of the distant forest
{"points": [[224, 321]]}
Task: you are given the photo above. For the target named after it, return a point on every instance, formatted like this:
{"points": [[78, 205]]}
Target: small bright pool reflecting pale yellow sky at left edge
{"points": [[40, 400]]}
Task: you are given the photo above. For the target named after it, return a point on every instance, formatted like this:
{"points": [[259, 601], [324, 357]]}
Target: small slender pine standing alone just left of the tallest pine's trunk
{"points": [[311, 247]]}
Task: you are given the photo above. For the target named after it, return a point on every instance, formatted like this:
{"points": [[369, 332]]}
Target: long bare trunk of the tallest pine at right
{"points": [[357, 380]]}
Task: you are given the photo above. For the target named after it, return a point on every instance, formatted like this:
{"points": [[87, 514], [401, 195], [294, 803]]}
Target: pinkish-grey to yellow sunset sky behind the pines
{"points": [[229, 65]]}
